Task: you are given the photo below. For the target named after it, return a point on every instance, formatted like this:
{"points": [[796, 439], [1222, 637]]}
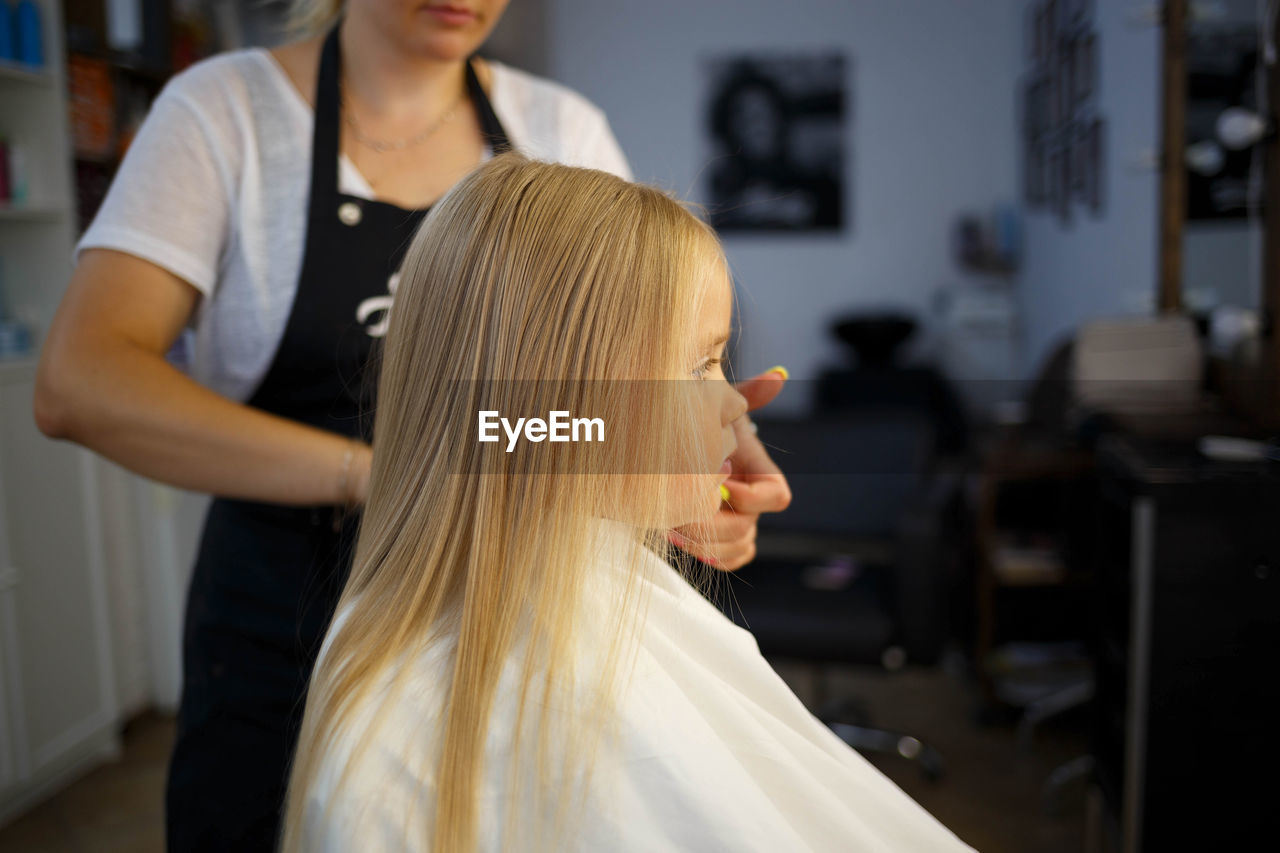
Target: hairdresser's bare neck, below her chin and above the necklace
{"points": [[385, 77]]}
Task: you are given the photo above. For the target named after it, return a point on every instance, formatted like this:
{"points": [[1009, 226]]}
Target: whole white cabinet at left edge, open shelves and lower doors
{"points": [[58, 709]]}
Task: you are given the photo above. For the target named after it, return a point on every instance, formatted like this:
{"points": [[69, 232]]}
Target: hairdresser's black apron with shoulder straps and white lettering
{"points": [[268, 577]]}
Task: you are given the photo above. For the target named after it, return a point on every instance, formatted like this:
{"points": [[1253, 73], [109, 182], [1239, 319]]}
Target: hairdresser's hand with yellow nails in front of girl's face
{"points": [[757, 486]]}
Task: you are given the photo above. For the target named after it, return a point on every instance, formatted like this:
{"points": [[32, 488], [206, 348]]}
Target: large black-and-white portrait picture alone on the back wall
{"points": [[776, 130]]}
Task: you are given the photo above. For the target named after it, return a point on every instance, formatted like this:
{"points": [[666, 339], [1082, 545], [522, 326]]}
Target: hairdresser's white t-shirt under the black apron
{"points": [[214, 189]]}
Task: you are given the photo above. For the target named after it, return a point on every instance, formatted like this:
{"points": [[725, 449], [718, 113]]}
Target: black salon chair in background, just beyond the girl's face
{"points": [[853, 571]]}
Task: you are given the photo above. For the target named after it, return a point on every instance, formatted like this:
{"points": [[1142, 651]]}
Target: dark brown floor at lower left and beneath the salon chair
{"points": [[991, 796]]}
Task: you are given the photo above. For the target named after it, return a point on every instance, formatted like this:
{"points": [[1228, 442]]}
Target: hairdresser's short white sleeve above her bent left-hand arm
{"points": [[171, 202]]}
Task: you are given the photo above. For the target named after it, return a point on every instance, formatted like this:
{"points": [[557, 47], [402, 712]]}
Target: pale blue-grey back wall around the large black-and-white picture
{"points": [[931, 134]]}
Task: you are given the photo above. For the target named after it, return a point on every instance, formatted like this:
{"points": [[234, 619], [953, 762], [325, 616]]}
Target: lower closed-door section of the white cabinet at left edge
{"points": [[57, 690]]}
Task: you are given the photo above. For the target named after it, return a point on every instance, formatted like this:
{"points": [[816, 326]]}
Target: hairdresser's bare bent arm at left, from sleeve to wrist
{"points": [[104, 382]]}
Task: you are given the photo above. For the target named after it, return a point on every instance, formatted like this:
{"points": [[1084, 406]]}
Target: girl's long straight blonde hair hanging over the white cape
{"points": [[528, 282]]}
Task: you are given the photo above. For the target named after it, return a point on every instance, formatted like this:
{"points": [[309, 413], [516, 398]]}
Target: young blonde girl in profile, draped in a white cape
{"points": [[515, 664]]}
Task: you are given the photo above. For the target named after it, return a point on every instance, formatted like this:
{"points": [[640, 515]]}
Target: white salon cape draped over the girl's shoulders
{"points": [[715, 754]]}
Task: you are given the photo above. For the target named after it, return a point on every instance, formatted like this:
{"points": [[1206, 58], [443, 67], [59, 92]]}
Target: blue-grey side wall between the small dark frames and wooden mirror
{"points": [[1108, 266]]}
